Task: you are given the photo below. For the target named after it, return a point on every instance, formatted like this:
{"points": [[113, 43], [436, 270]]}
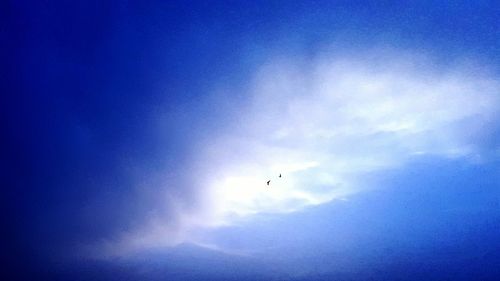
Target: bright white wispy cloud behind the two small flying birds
{"points": [[323, 124]]}
